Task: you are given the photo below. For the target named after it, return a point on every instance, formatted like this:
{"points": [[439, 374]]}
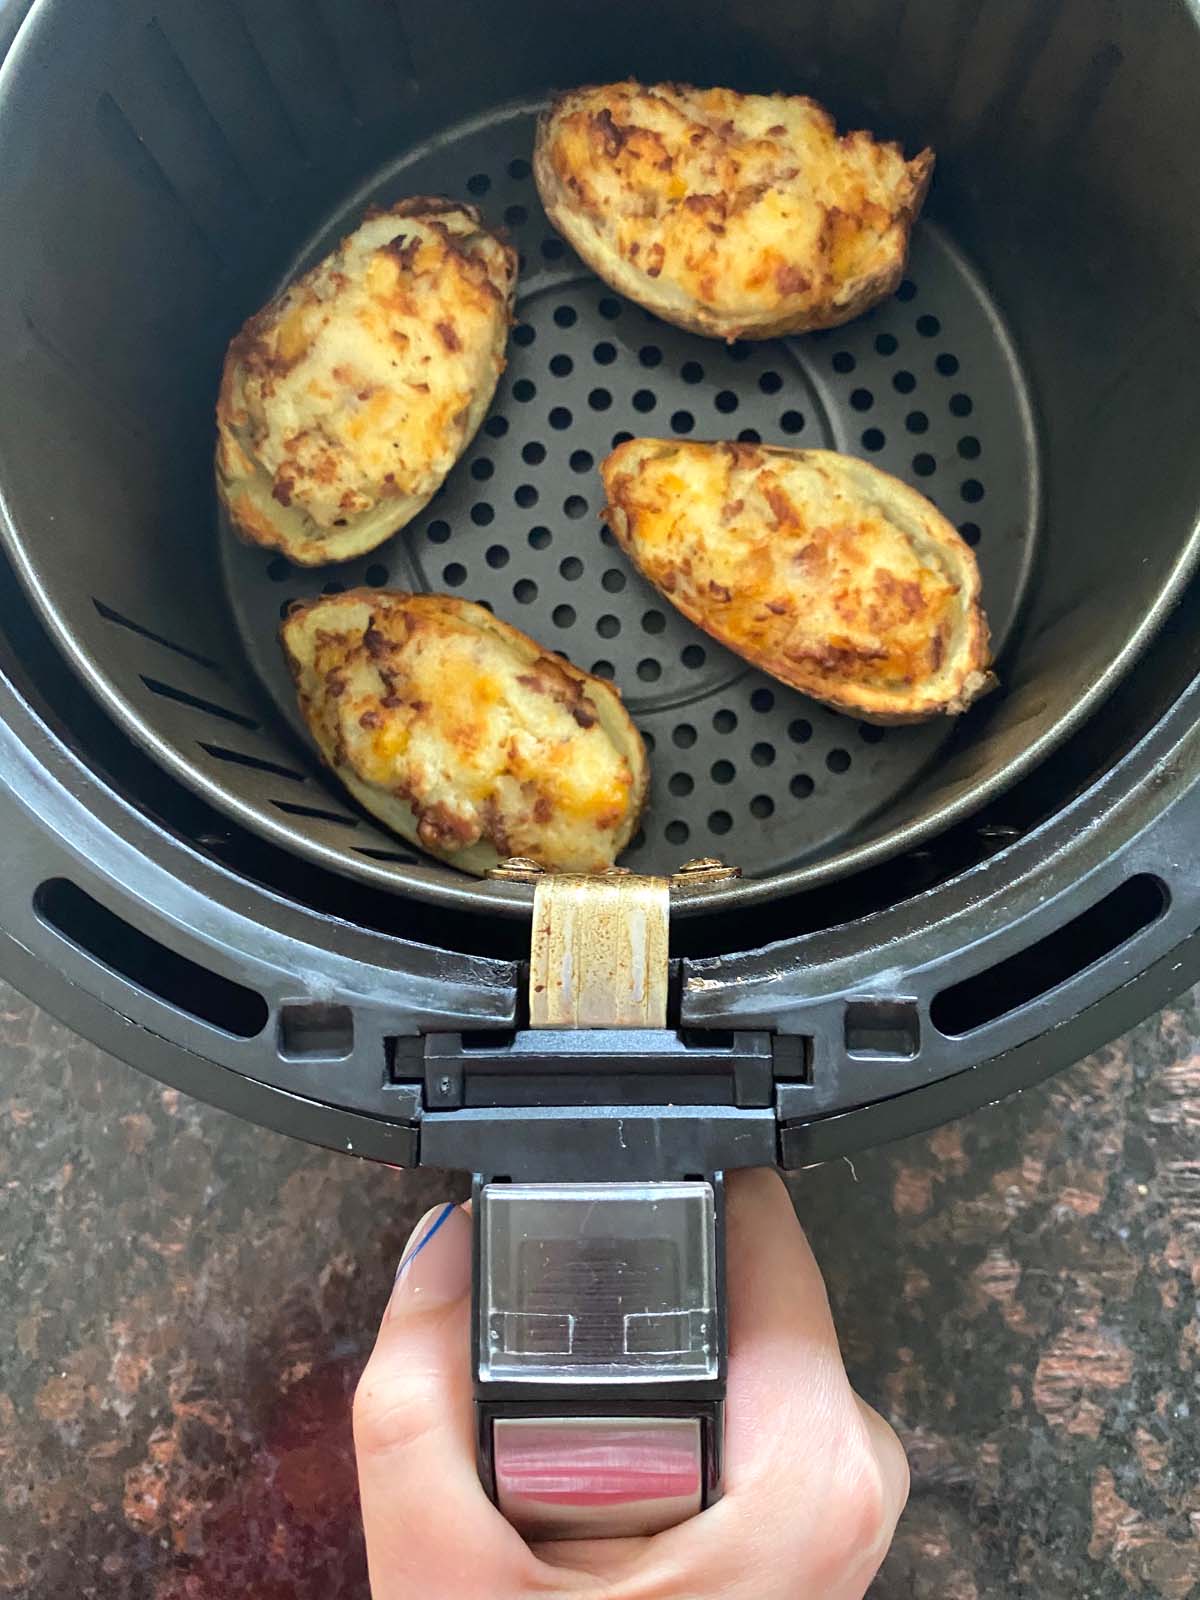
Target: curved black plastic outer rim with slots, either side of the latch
{"points": [[66, 826]]}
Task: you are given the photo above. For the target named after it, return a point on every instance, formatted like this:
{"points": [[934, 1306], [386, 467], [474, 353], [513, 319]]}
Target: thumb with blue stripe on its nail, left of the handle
{"points": [[430, 1526]]}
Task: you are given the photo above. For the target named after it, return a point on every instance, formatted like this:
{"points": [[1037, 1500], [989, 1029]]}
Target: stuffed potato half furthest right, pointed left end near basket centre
{"points": [[825, 572]]}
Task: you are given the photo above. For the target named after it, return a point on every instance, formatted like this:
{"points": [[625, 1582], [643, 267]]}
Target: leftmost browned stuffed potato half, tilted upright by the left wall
{"points": [[350, 398]]}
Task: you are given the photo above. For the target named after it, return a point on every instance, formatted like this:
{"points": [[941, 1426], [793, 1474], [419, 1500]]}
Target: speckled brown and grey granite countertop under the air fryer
{"points": [[186, 1302]]}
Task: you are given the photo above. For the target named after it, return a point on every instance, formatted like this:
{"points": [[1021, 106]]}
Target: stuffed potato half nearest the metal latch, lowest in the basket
{"points": [[462, 735]]}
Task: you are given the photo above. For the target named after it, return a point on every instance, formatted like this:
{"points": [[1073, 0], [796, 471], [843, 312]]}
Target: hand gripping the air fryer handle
{"points": [[815, 1481]]}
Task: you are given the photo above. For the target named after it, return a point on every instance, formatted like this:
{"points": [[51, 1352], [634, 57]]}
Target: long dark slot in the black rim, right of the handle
{"points": [[1054, 961]]}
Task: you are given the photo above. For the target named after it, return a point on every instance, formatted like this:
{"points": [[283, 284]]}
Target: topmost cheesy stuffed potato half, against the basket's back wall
{"points": [[742, 217]]}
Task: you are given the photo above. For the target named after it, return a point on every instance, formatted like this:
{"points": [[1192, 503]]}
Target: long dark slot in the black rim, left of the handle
{"points": [[150, 966]]}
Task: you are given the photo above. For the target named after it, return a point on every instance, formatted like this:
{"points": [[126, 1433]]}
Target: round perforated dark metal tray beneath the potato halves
{"points": [[927, 386]]}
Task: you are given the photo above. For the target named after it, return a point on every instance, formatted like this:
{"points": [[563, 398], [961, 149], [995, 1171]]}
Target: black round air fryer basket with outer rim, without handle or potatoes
{"points": [[929, 918]]}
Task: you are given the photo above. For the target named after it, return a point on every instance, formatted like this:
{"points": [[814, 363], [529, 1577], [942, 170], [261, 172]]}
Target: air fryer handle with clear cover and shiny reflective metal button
{"points": [[599, 1340]]}
